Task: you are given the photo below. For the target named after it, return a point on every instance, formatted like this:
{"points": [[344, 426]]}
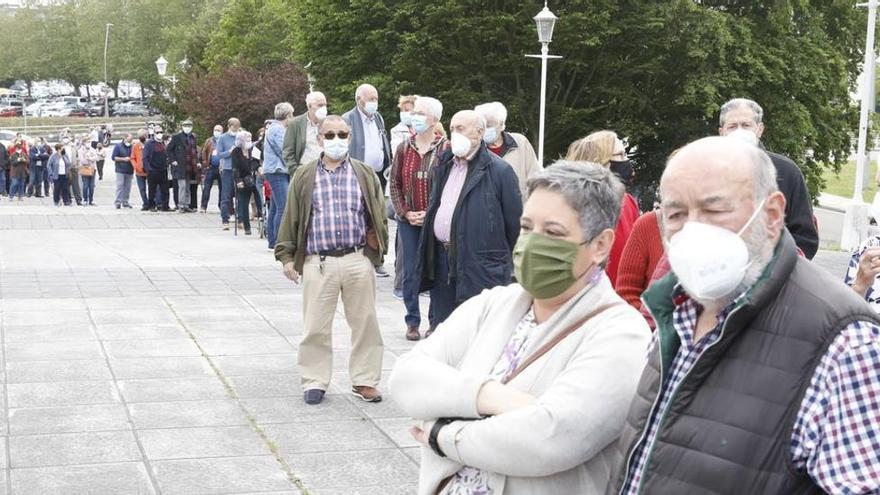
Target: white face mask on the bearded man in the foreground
{"points": [[709, 261]]}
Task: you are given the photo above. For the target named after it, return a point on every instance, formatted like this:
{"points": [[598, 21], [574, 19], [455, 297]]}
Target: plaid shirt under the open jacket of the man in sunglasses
{"points": [[338, 218]]}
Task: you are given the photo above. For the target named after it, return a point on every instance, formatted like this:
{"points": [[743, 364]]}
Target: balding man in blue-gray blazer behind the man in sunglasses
{"points": [[369, 140]]}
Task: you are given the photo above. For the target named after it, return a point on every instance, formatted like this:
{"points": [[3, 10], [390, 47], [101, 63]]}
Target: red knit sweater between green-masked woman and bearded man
{"points": [[640, 257]]}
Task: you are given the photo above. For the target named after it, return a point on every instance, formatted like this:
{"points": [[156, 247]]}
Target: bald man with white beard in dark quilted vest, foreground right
{"points": [[764, 373]]}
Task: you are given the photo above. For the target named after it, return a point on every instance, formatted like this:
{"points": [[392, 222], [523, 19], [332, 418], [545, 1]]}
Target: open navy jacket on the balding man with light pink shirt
{"points": [[485, 225]]}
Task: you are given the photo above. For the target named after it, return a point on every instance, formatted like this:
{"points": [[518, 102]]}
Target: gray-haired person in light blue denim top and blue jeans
{"points": [[274, 169]]}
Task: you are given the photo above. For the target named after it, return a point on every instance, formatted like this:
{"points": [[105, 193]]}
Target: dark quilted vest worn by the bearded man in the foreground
{"points": [[728, 427]]}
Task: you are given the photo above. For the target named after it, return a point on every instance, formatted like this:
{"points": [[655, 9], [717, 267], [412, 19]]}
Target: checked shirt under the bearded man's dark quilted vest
{"points": [[836, 434]]}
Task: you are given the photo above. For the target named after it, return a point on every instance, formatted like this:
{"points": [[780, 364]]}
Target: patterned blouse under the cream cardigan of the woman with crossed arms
{"points": [[470, 480]]}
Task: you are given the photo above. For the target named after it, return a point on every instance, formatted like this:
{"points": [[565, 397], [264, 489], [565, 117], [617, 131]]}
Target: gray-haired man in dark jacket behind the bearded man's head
{"points": [[744, 119]]}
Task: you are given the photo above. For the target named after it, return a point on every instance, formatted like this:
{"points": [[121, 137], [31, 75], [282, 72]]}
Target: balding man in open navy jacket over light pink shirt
{"points": [[472, 221]]}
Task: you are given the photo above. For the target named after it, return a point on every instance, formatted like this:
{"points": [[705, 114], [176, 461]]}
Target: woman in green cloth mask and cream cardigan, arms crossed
{"points": [[525, 388]]}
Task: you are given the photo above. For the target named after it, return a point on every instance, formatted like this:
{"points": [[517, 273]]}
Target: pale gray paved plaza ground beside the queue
{"points": [[154, 353]]}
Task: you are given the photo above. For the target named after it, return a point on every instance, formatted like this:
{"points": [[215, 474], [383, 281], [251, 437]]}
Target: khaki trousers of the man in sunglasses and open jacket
{"points": [[352, 277]]}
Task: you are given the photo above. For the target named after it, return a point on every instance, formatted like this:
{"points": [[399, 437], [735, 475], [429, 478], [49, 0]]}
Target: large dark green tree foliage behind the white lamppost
{"points": [[656, 72]]}
